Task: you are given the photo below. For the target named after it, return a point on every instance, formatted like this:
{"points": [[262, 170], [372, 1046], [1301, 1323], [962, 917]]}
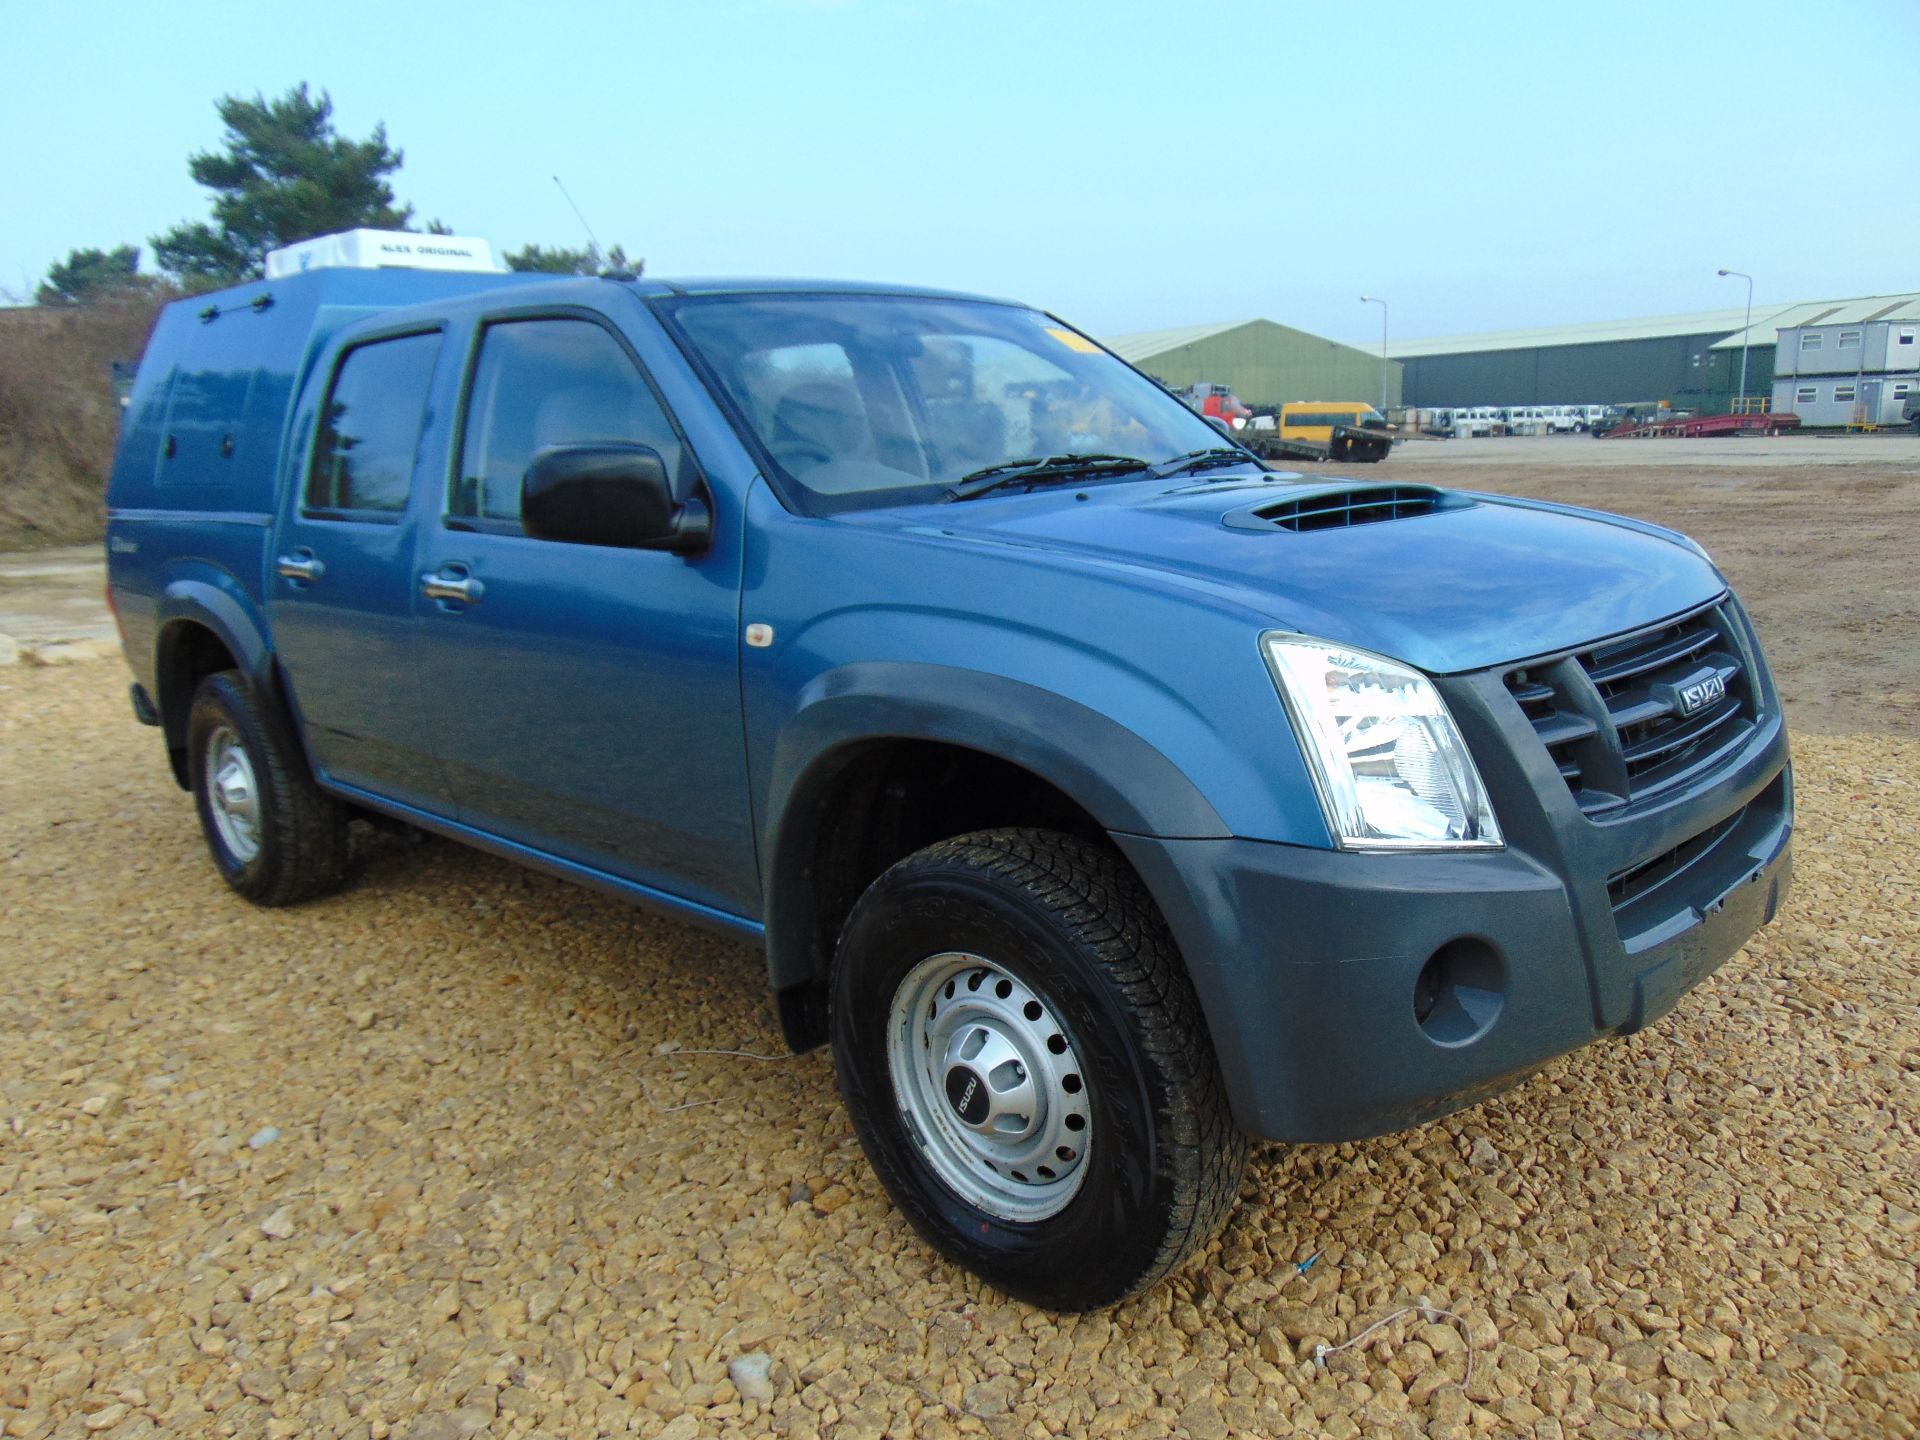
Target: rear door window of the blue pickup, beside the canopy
{"points": [[372, 427]]}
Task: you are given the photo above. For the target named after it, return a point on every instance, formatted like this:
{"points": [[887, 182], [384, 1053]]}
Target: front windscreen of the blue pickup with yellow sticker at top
{"points": [[878, 400]]}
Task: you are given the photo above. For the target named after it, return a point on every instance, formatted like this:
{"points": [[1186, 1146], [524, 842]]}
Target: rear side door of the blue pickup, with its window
{"points": [[341, 592]]}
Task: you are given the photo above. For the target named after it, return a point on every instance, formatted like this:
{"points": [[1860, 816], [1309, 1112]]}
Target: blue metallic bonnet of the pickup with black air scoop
{"points": [[1445, 583]]}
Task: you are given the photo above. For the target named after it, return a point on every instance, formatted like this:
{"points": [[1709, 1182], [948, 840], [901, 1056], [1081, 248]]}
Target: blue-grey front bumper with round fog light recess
{"points": [[1310, 963]]}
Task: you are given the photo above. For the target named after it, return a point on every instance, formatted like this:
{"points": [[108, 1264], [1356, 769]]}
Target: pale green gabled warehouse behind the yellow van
{"points": [[1264, 364]]}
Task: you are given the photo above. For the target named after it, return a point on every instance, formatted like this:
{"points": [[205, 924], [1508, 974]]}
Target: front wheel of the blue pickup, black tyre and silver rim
{"points": [[1028, 1068]]}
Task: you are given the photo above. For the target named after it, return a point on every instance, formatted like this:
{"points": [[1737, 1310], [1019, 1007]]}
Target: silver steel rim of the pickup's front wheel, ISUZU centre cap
{"points": [[990, 1088]]}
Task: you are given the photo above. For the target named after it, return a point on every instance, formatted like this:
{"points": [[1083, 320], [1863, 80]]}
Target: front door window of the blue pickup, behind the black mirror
{"points": [[548, 383]]}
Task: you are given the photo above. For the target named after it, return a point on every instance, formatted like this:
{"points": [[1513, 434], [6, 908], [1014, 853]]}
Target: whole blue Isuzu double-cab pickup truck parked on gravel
{"points": [[1103, 798]]}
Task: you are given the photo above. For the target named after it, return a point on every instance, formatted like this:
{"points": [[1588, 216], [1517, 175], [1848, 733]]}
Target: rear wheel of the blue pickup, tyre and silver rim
{"points": [[274, 834]]}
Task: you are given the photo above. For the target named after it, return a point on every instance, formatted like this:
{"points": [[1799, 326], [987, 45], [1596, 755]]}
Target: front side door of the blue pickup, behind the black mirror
{"points": [[585, 700]]}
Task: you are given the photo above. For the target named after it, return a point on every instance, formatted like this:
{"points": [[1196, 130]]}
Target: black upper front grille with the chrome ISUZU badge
{"points": [[1635, 717]]}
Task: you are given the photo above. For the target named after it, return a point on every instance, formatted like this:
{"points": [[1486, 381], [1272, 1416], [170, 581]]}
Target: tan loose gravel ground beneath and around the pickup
{"points": [[441, 1157]]}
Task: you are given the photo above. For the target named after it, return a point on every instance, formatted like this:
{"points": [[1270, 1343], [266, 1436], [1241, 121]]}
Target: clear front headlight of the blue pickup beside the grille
{"points": [[1391, 767]]}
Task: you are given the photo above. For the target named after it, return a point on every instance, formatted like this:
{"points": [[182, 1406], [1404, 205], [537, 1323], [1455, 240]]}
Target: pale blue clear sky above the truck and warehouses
{"points": [[1124, 164]]}
